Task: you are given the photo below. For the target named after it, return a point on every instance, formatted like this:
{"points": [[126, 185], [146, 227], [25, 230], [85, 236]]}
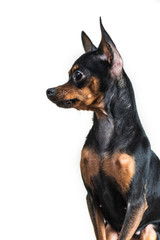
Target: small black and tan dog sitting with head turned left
{"points": [[120, 171]]}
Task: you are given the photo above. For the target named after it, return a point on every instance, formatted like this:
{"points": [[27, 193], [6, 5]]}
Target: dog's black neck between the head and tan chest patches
{"points": [[118, 126]]}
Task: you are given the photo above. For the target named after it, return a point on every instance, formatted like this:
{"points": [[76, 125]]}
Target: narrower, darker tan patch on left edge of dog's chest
{"points": [[89, 164]]}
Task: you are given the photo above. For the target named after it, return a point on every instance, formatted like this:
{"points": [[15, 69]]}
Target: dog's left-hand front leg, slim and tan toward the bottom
{"points": [[97, 218]]}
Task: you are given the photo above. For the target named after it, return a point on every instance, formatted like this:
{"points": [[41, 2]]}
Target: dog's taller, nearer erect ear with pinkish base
{"points": [[108, 52]]}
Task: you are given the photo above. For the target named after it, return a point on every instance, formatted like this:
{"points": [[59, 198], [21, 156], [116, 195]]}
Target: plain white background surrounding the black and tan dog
{"points": [[41, 192]]}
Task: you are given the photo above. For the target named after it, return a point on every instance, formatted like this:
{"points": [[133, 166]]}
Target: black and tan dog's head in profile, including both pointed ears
{"points": [[90, 77]]}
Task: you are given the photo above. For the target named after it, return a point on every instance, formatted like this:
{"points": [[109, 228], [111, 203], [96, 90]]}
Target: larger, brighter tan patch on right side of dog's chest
{"points": [[121, 167]]}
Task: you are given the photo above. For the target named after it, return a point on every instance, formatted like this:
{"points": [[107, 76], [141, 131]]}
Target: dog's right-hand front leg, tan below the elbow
{"points": [[132, 219]]}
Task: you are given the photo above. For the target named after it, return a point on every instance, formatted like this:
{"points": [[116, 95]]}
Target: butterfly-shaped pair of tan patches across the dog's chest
{"points": [[119, 166]]}
